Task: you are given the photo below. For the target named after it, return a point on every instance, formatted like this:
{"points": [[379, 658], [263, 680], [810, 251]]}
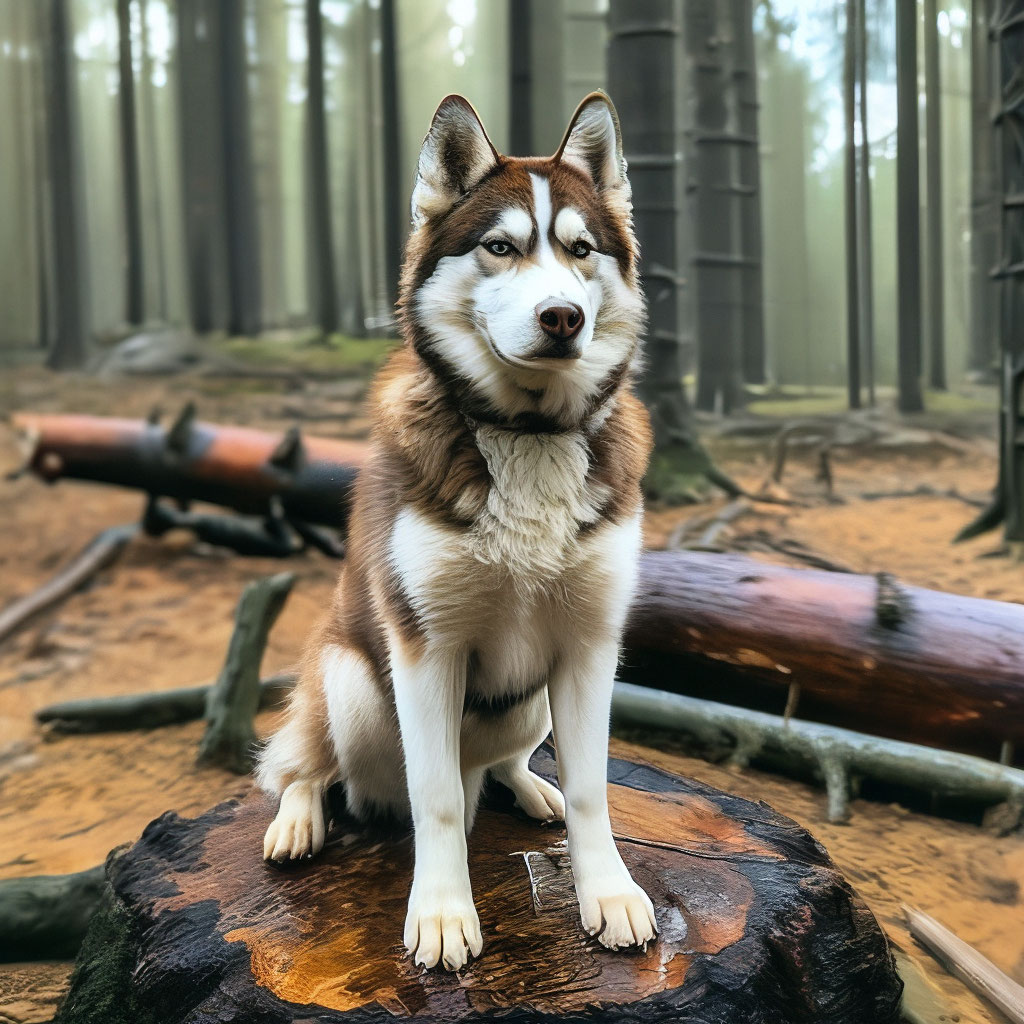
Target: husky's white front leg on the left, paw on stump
{"points": [[430, 691]]}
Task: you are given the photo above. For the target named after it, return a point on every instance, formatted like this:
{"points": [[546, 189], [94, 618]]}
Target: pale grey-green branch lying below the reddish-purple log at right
{"points": [[834, 755]]}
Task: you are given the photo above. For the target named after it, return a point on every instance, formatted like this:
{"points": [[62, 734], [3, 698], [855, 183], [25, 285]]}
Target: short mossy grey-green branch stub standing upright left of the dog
{"points": [[235, 699]]}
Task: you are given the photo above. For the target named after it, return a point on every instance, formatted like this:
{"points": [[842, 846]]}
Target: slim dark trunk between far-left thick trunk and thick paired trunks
{"points": [[135, 313]]}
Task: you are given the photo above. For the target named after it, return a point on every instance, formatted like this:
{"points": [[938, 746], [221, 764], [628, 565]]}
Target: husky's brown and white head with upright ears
{"points": [[521, 286]]}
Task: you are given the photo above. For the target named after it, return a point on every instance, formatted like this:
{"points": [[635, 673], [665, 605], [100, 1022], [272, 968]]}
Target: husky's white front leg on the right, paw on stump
{"points": [[612, 905]]}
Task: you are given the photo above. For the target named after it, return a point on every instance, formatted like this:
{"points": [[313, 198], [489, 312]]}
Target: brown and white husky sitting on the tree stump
{"points": [[495, 534]]}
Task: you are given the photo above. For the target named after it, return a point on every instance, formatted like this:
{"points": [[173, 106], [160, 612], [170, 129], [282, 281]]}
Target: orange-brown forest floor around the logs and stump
{"points": [[161, 618]]}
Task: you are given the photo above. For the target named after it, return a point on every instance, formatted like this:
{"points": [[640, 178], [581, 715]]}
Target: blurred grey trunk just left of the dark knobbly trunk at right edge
{"points": [[985, 346]]}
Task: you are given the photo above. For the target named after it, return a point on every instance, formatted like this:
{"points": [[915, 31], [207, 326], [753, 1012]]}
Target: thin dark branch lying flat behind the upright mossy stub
{"points": [[147, 711]]}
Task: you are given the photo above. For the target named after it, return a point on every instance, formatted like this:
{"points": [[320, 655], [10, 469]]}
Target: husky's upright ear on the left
{"points": [[456, 155]]}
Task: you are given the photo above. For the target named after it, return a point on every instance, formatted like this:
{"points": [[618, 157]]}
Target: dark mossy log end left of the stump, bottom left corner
{"points": [[46, 917]]}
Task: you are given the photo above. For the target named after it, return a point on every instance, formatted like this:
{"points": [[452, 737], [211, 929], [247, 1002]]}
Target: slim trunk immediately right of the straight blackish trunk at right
{"points": [[935, 292]]}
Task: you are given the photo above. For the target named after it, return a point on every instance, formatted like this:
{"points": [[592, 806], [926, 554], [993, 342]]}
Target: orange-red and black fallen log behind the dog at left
{"points": [[235, 467]]}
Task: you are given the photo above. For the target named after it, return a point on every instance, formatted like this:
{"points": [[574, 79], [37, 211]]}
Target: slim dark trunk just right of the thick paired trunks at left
{"points": [[320, 225]]}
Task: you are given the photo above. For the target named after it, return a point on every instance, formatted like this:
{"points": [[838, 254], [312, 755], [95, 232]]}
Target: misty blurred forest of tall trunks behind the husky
{"points": [[244, 166]]}
